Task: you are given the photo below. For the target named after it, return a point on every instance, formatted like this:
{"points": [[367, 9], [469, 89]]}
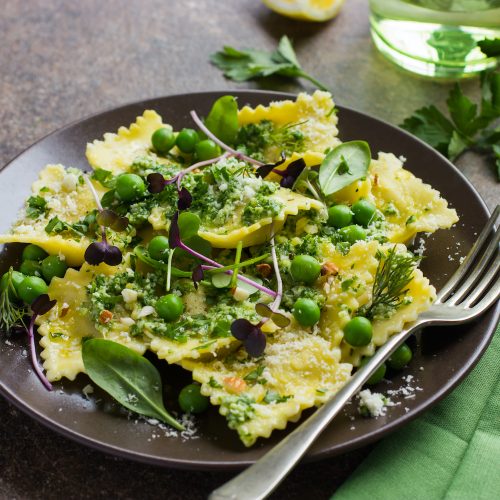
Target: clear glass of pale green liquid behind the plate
{"points": [[436, 38]]}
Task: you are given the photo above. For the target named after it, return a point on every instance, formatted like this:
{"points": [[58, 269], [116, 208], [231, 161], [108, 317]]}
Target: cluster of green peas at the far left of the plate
{"points": [[36, 270]]}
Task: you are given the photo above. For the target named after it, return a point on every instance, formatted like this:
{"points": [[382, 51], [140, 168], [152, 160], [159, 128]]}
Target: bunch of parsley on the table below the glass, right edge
{"points": [[471, 126]]}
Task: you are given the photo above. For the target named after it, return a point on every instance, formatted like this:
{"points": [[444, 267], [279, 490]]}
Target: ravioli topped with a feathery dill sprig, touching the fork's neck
{"points": [[351, 288]]}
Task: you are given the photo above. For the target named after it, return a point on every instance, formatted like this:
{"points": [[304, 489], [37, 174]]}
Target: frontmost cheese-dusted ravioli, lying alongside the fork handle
{"points": [[298, 370]]}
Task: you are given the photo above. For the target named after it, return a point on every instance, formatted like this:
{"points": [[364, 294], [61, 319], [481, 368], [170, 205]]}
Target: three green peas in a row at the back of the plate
{"points": [[188, 142]]}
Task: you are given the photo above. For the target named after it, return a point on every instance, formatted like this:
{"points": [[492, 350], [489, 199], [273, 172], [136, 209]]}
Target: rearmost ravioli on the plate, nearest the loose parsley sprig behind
{"points": [[314, 115]]}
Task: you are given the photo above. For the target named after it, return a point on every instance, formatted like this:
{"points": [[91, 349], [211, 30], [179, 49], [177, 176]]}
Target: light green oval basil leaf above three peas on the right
{"points": [[344, 165]]}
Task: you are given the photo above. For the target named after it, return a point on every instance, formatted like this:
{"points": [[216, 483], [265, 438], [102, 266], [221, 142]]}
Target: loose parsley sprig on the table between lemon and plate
{"points": [[243, 65]]}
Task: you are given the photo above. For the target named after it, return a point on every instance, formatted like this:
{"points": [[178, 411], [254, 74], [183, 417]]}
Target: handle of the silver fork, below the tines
{"points": [[261, 478]]}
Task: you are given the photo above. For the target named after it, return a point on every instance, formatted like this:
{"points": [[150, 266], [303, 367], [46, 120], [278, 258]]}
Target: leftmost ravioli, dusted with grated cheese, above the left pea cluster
{"points": [[67, 197]]}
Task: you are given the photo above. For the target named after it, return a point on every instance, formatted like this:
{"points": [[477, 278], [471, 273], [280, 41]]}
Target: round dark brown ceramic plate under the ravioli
{"points": [[442, 356]]}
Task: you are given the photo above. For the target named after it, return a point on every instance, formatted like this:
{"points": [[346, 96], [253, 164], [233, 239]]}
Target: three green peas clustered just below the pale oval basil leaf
{"points": [[352, 221]]}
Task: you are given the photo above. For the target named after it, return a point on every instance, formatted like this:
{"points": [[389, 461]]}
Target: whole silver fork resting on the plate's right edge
{"points": [[469, 293]]}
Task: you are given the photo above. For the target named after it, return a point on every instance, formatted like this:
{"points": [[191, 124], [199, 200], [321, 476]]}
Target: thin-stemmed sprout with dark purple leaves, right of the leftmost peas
{"points": [[101, 251]]}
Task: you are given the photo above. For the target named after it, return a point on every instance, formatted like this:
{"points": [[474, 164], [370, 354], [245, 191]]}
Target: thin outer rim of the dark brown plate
{"points": [[189, 464]]}
